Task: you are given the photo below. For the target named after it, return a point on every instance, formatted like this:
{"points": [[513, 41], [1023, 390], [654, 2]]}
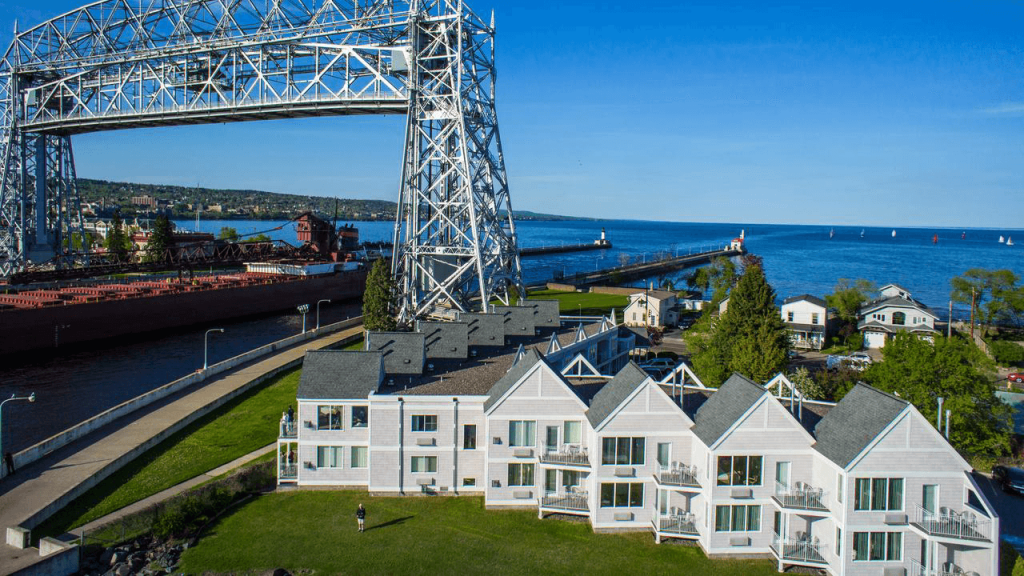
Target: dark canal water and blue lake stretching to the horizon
{"points": [[76, 385]]}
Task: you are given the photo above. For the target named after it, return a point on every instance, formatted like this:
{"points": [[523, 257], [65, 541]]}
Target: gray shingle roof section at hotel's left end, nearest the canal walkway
{"points": [[340, 375]]}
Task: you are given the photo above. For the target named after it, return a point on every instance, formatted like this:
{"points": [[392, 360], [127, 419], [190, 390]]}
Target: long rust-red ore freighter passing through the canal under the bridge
{"points": [[33, 319]]}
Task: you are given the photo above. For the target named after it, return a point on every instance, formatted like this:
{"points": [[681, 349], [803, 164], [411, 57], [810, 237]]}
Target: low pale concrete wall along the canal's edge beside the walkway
{"points": [[33, 454]]}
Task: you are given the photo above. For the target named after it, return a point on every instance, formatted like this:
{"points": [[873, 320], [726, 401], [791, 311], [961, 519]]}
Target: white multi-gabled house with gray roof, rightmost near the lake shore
{"points": [[895, 311]]}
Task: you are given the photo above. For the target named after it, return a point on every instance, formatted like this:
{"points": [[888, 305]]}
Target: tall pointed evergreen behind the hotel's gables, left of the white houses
{"points": [[749, 339]]}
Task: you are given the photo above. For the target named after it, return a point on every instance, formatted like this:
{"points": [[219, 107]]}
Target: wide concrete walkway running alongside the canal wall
{"points": [[39, 490]]}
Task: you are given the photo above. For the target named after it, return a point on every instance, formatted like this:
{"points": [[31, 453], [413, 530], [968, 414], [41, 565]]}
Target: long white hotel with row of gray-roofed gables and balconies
{"points": [[564, 425]]}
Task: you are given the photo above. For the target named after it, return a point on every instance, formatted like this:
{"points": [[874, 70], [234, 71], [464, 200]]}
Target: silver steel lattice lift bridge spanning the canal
{"points": [[130, 64]]}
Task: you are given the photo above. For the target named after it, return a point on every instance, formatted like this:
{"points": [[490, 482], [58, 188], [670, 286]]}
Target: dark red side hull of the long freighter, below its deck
{"points": [[86, 320]]}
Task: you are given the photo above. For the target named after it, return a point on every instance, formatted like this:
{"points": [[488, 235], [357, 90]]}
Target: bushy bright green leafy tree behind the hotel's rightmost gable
{"points": [[956, 371]]}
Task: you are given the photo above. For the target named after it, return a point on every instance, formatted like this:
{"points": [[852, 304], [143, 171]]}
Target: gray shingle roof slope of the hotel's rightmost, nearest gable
{"points": [[856, 423]]}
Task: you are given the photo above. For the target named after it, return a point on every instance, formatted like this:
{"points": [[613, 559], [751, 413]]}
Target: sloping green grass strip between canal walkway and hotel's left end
{"points": [[243, 426]]}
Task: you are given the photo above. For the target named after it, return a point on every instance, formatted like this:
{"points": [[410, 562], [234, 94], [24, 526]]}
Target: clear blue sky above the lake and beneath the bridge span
{"points": [[888, 113]]}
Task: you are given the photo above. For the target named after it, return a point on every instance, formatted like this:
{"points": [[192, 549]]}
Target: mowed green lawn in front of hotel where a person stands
{"points": [[315, 531]]}
